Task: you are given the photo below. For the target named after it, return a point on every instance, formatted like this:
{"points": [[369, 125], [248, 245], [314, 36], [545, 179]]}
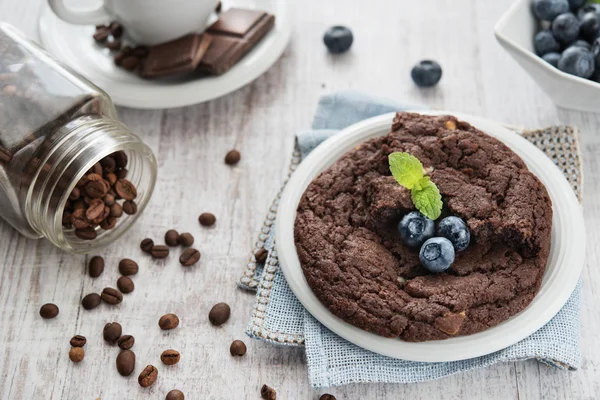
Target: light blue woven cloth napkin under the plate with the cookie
{"points": [[278, 317]]}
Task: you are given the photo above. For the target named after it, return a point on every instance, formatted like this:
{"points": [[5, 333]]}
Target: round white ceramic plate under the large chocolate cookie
{"points": [[561, 276]]}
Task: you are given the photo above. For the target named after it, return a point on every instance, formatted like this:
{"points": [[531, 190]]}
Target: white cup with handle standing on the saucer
{"points": [[146, 22]]}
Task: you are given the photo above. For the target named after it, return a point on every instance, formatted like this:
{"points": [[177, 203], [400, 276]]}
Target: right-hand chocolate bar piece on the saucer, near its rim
{"points": [[235, 33]]}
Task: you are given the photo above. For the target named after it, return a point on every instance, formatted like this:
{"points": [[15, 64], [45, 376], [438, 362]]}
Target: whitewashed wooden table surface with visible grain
{"points": [[260, 120]]}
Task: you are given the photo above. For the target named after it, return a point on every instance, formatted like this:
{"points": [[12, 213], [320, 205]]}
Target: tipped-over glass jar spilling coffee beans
{"points": [[58, 134]]}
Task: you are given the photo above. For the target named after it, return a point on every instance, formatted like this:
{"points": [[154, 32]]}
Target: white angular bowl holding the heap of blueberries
{"points": [[515, 32]]}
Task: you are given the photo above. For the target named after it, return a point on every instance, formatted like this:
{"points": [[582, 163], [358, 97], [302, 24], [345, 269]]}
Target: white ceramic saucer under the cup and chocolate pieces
{"points": [[73, 44]]}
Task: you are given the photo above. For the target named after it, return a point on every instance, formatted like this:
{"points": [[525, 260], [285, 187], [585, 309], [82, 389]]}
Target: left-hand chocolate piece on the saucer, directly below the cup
{"points": [[175, 57]]}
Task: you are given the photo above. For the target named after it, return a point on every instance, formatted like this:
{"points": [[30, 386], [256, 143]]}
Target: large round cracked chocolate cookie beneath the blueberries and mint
{"points": [[355, 262]]}
